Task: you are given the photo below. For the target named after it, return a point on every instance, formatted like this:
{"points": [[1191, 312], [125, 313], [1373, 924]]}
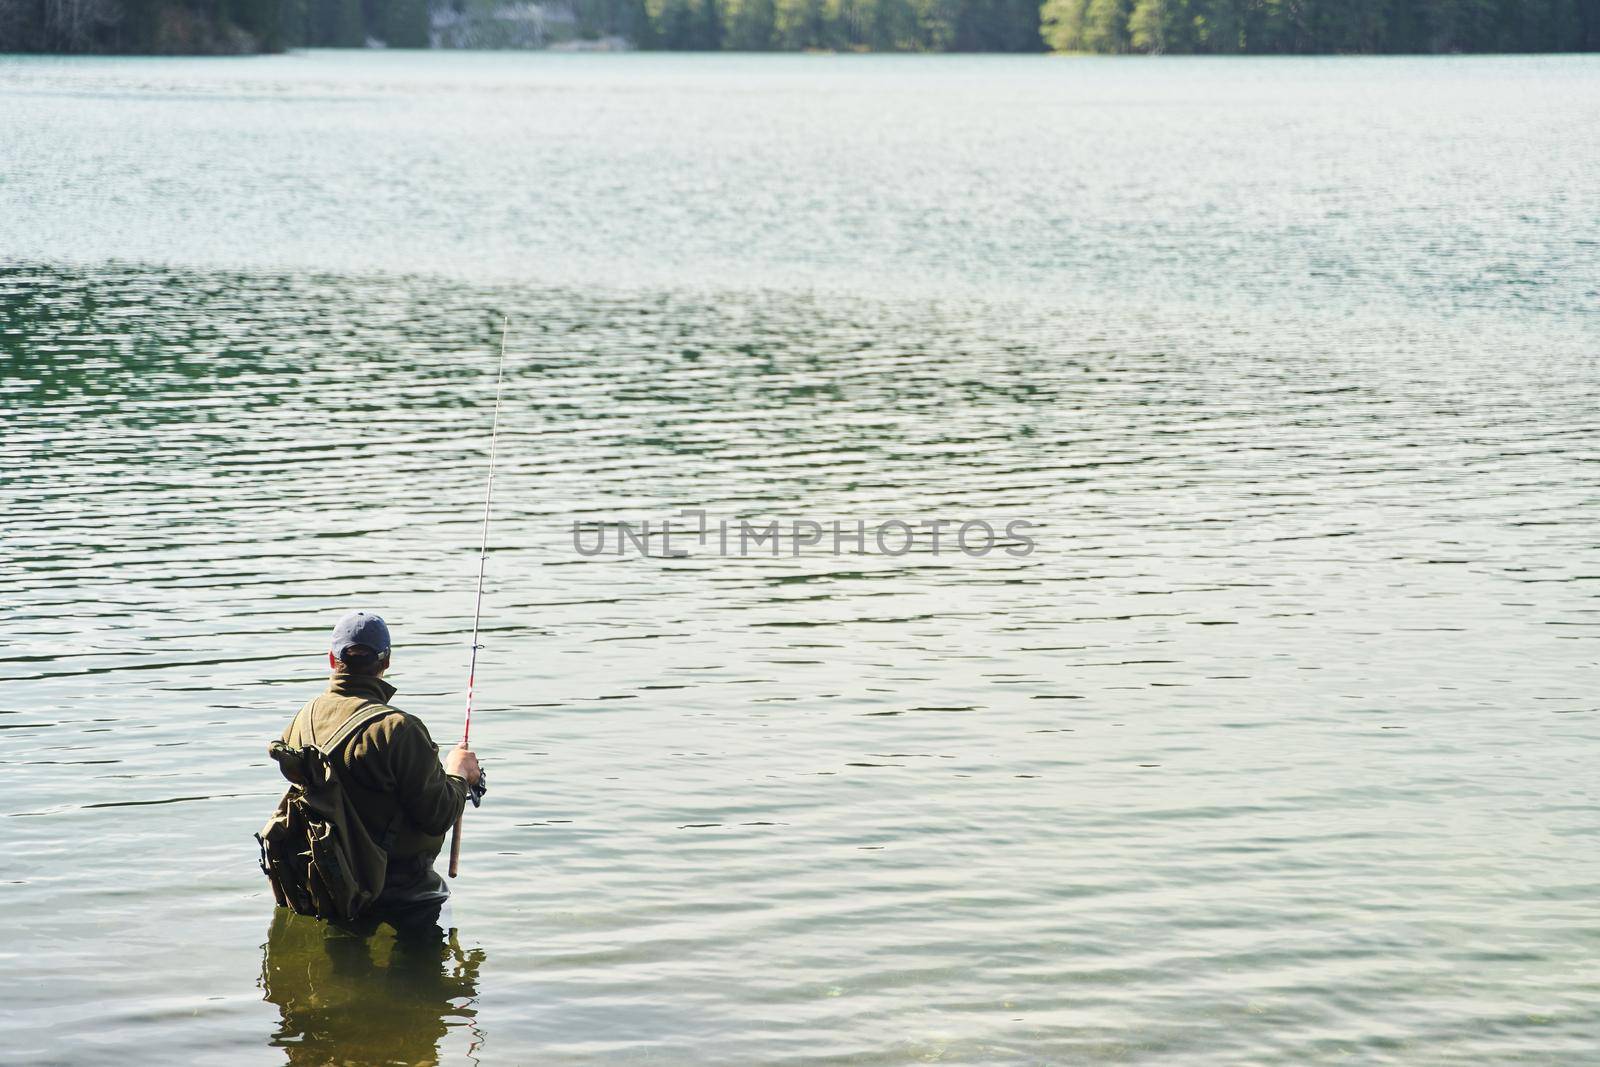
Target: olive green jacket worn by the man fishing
{"points": [[391, 772]]}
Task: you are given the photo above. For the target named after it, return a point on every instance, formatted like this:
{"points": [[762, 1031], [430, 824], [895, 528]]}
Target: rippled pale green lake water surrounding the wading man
{"points": [[1278, 749]]}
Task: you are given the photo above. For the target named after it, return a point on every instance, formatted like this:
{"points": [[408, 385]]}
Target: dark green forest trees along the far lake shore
{"points": [[1078, 26]]}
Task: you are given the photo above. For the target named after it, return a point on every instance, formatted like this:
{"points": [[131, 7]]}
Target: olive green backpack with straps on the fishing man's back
{"points": [[316, 850]]}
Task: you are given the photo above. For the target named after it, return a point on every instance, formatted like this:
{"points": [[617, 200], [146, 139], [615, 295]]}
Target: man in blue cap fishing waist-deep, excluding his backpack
{"points": [[391, 772]]}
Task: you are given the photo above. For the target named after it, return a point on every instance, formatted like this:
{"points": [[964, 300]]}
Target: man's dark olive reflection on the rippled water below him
{"points": [[367, 996]]}
